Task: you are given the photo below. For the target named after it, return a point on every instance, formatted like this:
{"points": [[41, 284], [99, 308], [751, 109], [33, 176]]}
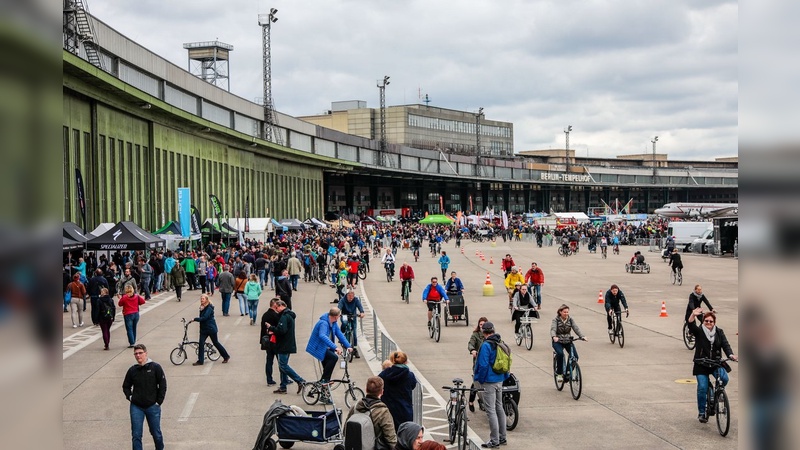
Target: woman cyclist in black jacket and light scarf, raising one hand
{"points": [[711, 342]]}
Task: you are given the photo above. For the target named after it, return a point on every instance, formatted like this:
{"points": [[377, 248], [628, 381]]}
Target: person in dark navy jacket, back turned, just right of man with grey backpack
{"points": [[399, 383]]}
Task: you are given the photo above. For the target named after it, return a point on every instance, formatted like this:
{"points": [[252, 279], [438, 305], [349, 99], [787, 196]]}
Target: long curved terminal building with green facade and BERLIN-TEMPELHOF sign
{"points": [[138, 127]]}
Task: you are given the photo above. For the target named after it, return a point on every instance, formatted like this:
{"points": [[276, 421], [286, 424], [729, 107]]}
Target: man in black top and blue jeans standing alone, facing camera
{"points": [[145, 387]]}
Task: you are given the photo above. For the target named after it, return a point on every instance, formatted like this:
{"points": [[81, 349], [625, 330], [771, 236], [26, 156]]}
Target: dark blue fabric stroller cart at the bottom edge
{"points": [[291, 425]]}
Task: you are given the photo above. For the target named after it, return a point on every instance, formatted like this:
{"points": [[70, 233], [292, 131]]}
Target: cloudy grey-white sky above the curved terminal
{"points": [[619, 72]]}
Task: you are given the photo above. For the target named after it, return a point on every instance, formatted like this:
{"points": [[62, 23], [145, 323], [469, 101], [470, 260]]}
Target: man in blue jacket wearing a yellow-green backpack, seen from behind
{"points": [[492, 384]]}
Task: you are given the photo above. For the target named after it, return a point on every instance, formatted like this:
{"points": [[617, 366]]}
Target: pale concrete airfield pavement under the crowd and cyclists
{"points": [[639, 396]]}
